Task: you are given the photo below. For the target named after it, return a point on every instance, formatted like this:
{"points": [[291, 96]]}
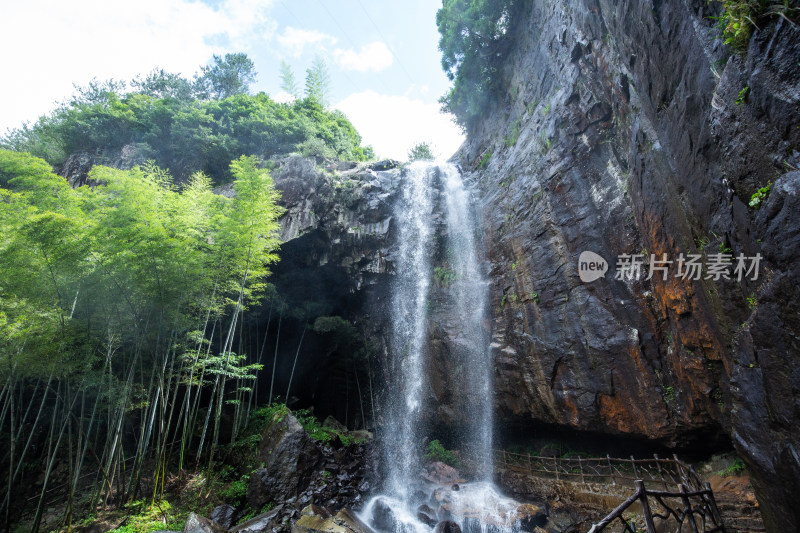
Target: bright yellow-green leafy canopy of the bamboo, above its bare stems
{"points": [[91, 270]]}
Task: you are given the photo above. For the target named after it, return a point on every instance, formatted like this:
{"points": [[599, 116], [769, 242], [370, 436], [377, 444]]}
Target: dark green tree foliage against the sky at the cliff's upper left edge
{"points": [[474, 40]]}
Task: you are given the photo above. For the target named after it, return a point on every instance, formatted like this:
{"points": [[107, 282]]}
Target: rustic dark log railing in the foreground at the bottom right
{"points": [[693, 511]]}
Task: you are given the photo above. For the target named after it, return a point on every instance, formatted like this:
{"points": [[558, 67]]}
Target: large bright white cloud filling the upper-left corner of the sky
{"points": [[49, 44]]}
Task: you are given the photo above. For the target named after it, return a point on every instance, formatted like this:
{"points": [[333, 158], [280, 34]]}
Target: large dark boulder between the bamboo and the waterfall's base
{"points": [[290, 457]]}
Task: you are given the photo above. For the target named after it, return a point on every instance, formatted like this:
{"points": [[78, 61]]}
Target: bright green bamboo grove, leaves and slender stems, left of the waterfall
{"points": [[119, 307]]}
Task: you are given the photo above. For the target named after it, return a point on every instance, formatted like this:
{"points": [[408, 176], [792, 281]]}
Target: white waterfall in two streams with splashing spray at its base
{"points": [[435, 201]]}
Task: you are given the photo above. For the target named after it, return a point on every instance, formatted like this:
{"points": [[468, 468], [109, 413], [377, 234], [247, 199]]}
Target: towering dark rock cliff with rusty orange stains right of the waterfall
{"points": [[628, 128]]}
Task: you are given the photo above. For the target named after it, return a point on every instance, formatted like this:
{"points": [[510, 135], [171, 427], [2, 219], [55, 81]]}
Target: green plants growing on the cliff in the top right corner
{"points": [[740, 17]]}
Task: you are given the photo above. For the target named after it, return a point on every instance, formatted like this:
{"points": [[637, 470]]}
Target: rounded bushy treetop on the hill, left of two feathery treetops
{"points": [[226, 76]]}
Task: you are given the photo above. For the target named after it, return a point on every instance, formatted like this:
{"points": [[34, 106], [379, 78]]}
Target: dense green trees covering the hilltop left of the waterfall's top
{"points": [[164, 120]]}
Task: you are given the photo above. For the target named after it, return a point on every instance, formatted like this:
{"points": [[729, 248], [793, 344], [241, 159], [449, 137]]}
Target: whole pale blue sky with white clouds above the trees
{"points": [[382, 55]]}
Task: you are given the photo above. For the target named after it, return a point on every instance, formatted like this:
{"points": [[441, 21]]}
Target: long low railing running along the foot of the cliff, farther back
{"points": [[666, 472]]}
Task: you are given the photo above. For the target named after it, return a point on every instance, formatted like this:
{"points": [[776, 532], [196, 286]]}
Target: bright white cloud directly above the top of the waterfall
{"points": [[393, 124]]}
